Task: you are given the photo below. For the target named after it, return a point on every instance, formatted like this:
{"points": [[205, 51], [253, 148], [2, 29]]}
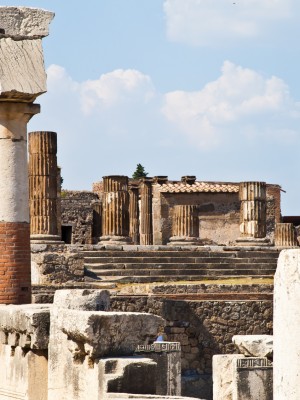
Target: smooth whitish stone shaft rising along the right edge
{"points": [[287, 326]]}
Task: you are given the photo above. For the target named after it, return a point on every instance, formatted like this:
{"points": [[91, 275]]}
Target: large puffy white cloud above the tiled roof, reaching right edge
{"points": [[241, 103]]}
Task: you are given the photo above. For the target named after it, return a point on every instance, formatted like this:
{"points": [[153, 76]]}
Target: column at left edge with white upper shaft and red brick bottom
{"points": [[15, 275]]}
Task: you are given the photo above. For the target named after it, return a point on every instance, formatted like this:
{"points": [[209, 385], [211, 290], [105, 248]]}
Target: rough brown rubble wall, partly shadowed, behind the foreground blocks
{"points": [[204, 328]]}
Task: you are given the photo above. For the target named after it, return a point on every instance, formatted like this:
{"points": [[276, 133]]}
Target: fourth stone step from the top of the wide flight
{"points": [[184, 272]]}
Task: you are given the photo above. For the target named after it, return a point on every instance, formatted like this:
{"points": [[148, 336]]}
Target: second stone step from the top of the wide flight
{"points": [[176, 260]]}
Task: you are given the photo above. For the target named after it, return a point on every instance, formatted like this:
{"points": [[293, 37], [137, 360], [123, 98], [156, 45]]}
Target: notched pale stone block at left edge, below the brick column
{"points": [[26, 326]]}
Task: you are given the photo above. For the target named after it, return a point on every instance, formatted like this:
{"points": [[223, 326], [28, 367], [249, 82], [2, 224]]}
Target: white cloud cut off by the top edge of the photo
{"points": [[207, 22]]}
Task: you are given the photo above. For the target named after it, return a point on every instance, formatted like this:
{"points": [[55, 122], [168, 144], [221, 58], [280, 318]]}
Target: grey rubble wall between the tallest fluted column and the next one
{"points": [[77, 213]]}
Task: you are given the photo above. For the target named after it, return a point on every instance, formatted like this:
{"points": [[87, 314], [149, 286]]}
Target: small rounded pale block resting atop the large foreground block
{"points": [[84, 300]]}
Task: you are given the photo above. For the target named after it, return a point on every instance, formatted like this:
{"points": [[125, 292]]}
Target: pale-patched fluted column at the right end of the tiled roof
{"points": [[253, 210]]}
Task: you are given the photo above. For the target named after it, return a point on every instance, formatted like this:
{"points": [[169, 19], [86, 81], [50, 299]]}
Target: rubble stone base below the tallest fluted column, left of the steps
{"points": [[56, 264]]}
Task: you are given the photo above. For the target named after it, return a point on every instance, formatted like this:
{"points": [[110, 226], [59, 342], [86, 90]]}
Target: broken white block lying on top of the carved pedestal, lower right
{"points": [[254, 345]]}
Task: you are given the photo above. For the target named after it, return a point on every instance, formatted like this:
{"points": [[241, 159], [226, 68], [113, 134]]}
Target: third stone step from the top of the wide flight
{"points": [[175, 266]]}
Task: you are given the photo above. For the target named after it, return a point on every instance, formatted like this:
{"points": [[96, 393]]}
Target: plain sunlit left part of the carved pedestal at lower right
{"points": [[223, 376]]}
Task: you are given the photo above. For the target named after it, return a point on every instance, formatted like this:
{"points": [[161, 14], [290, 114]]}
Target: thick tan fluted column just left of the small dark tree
{"points": [[115, 210]]}
